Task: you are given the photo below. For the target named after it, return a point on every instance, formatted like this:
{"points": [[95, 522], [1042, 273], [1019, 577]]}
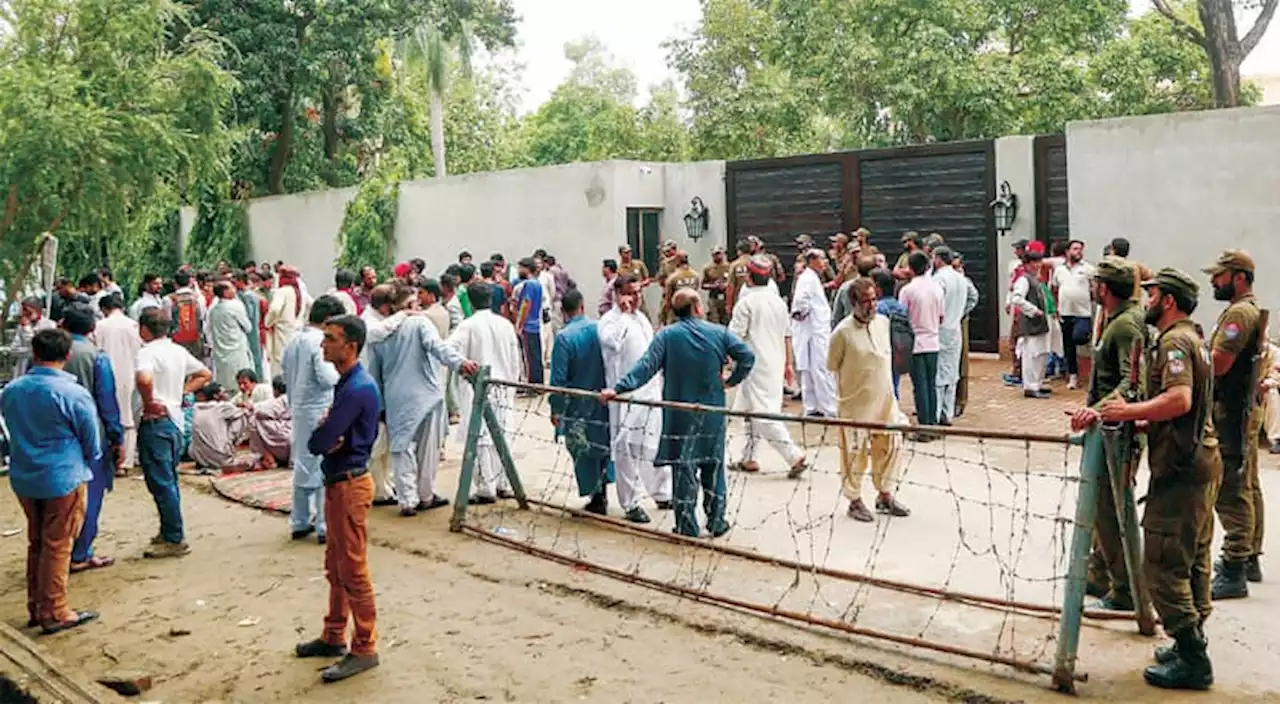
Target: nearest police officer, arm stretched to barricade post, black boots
{"points": [[1186, 472]]}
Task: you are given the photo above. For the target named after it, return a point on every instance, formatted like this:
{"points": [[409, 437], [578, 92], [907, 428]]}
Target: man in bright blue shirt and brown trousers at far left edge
{"points": [[54, 441]]}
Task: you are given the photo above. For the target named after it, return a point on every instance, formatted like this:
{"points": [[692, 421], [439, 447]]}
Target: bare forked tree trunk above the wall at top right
{"points": [[1217, 34]]}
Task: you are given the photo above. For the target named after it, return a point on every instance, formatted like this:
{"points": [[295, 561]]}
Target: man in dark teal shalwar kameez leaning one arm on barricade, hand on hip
{"points": [[692, 355]]}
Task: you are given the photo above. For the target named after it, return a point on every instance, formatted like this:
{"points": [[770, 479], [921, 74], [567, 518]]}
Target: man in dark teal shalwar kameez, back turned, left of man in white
{"points": [[578, 363]]}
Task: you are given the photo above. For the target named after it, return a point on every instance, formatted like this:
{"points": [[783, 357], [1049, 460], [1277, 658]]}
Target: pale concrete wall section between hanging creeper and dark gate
{"points": [[575, 212]]}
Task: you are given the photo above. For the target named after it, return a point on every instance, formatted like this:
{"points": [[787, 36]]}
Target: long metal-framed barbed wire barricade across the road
{"points": [[990, 565]]}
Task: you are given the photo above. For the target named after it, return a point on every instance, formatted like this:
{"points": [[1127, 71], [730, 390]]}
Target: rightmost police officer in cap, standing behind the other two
{"points": [[1238, 349]]}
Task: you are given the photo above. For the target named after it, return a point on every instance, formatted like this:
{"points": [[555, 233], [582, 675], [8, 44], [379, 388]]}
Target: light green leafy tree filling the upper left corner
{"points": [[111, 112]]}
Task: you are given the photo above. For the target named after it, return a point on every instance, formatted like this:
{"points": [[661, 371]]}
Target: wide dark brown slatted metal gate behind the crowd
{"points": [[944, 189]]}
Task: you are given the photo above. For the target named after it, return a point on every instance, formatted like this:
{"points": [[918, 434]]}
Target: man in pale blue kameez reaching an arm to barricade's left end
{"points": [[406, 367]]}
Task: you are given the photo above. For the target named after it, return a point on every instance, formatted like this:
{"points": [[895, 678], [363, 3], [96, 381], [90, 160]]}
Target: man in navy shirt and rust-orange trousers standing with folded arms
{"points": [[346, 440]]}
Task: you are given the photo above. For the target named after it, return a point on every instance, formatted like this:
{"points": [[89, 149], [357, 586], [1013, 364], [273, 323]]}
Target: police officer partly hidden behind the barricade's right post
{"points": [[1123, 337]]}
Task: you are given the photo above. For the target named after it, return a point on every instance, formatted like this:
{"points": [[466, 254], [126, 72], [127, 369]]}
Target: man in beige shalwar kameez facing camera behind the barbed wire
{"points": [[861, 359]]}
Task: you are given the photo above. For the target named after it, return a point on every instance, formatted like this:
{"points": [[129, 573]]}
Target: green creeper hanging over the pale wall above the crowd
{"points": [[368, 235]]}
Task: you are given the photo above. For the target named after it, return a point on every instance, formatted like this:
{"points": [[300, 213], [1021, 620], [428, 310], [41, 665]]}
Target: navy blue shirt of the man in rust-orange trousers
{"points": [[353, 419]]}
